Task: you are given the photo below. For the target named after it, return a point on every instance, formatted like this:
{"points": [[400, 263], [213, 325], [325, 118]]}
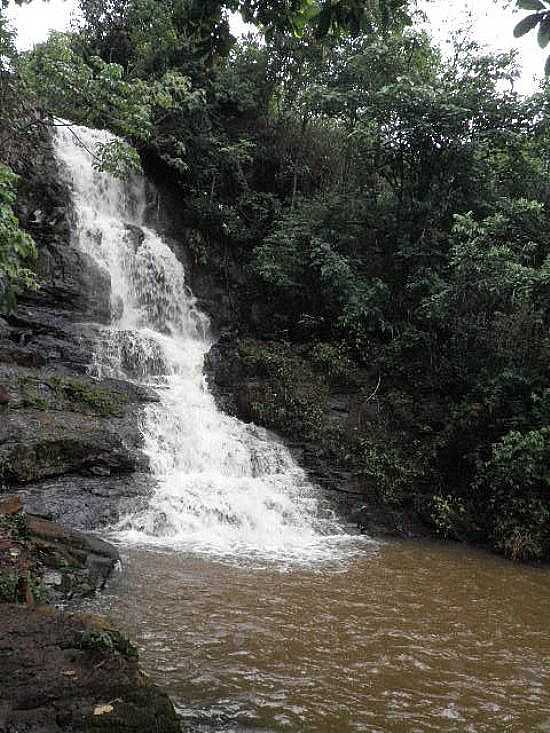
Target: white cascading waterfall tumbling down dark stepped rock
{"points": [[222, 486]]}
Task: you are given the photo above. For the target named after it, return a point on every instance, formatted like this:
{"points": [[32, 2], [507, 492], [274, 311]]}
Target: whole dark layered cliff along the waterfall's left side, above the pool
{"points": [[59, 427]]}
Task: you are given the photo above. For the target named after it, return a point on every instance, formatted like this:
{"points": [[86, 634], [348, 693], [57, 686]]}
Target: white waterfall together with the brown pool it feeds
{"points": [[250, 601]]}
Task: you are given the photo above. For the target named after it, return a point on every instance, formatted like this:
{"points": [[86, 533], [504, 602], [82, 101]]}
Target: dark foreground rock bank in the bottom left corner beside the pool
{"points": [[73, 674]]}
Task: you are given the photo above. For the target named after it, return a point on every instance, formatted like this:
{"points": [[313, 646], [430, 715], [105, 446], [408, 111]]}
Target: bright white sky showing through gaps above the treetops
{"points": [[492, 24]]}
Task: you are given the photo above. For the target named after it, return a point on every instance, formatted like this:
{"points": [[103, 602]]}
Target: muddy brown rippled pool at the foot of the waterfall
{"points": [[400, 637]]}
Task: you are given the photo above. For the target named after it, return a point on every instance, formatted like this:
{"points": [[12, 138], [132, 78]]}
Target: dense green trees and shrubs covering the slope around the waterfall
{"points": [[385, 210]]}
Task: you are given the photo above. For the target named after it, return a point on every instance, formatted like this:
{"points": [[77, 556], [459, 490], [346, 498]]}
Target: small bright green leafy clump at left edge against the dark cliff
{"points": [[17, 248]]}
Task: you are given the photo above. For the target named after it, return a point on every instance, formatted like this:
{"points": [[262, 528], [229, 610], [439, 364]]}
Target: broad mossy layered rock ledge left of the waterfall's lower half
{"points": [[71, 444]]}
